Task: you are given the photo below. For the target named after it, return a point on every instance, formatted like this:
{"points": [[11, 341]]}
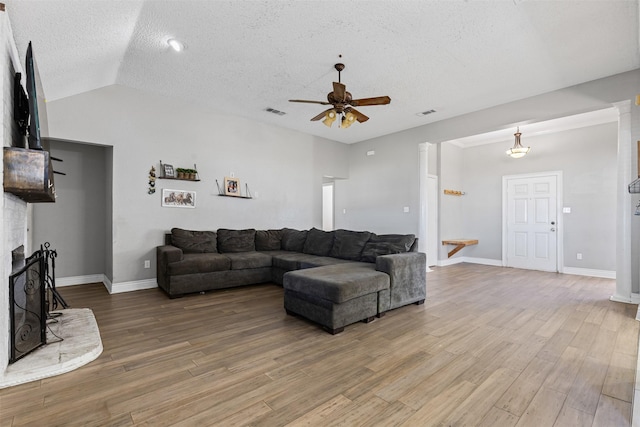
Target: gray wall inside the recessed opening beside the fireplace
{"points": [[75, 224]]}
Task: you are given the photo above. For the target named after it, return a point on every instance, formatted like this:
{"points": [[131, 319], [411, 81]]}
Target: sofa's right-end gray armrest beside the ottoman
{"points": [[408, 277]]}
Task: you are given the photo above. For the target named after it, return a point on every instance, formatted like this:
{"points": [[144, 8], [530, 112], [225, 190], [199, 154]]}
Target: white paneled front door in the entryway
{"points": [[531, 222]]}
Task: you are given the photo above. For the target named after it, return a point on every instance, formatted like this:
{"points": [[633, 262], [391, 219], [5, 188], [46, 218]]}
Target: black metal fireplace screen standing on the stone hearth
{"points": [[27, 307]]}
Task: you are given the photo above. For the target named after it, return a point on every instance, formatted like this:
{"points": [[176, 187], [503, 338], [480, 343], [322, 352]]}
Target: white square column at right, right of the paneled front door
{"points": [[624, 281]]}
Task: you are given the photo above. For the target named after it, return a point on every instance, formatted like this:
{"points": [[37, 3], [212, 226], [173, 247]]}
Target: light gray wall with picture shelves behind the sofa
{"points": [[283, 168]]}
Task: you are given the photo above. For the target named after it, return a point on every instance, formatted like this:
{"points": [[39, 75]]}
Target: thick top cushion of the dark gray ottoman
{"points": [[337, 283]]}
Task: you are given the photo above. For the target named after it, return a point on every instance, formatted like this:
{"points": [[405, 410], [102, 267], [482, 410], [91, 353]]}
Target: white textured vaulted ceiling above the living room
{"points": [[244, 56]]}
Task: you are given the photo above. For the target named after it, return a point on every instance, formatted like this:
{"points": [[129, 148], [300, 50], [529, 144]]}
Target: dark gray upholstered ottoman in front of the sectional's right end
{"points": [[335, 295]]}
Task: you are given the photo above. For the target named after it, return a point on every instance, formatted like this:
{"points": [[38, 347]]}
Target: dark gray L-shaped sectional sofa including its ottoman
{"points": [[332, 278]]}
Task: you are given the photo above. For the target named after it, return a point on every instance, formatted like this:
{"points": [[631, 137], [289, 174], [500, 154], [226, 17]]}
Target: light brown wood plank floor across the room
{"points": [[491, 347]]}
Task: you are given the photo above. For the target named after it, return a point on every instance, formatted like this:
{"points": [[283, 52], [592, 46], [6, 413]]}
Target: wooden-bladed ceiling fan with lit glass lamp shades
{"points": [[343, 103]]}
